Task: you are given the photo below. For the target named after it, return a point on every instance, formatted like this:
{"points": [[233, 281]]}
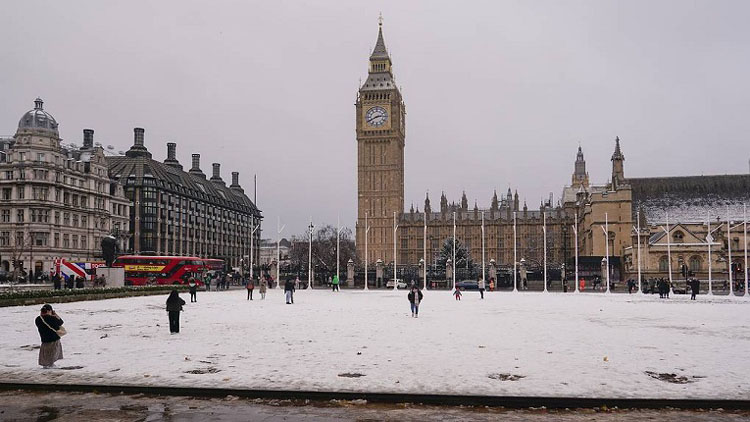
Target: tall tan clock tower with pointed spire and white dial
{"points": [[381, 133]]}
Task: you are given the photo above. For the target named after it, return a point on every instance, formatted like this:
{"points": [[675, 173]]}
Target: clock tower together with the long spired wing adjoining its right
{"points": [[381, 134]]}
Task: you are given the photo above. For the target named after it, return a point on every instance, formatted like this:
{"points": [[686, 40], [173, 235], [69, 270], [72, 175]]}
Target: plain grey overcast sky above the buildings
{"points": [[498, 93]]}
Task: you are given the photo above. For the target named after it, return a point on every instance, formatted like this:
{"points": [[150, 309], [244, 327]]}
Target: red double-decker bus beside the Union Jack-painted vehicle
{"points": [[144, 270]]}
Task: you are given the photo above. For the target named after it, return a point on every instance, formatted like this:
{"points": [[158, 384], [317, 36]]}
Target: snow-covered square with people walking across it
{"points": [[584, 345]]}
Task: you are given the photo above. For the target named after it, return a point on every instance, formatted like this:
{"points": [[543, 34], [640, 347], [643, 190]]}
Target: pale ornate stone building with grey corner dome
{"points": [[56, 201]]}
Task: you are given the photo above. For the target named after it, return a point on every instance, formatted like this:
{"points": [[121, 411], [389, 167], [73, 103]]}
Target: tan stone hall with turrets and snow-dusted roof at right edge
{"points": [[674, 214]]}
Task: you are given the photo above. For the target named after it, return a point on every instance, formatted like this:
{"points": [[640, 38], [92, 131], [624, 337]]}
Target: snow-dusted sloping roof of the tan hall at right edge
{"points": [[691, 199]]}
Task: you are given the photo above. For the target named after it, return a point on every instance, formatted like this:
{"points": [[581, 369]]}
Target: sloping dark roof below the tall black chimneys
{"points": [[134, 170]]}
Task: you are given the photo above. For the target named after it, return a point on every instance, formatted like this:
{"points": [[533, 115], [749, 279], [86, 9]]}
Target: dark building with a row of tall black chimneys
{"points": [[177, 212]]}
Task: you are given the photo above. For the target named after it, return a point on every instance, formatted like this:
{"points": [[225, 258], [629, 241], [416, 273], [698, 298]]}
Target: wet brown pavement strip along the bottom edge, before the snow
{"points": [[64, 407]]}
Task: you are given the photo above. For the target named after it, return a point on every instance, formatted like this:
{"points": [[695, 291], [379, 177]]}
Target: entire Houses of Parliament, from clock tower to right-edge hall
{"points": [[583, 206]]}
